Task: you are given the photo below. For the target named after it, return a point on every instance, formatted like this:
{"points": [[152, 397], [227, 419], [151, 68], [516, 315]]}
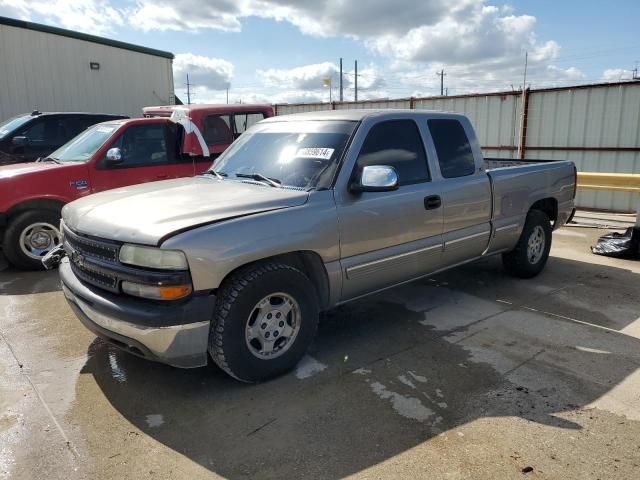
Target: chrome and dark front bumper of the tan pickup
{"points": [[164, 334]]}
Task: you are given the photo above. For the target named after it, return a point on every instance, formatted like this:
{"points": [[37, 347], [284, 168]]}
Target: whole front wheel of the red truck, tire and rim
{"points": [[30, 236]]}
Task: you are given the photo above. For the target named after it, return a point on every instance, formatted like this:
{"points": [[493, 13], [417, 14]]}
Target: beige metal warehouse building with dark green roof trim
{"points": [[51, 69]]}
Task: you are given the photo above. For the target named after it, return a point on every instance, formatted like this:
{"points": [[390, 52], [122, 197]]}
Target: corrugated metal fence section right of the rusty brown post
{"points": [[599, 117]]}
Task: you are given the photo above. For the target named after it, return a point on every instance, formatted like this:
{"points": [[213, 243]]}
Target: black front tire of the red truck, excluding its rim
{"points": [[11, 241]]}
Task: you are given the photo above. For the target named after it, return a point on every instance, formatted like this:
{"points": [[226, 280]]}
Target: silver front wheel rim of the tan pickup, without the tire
{"points": [[272, 326]]}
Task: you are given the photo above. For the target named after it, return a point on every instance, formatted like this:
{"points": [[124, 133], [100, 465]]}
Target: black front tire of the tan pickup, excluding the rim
{"points": [[235, 302]]}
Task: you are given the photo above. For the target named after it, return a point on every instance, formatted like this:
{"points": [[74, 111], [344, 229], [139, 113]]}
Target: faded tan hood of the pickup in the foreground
{"points": [[149, 212]]}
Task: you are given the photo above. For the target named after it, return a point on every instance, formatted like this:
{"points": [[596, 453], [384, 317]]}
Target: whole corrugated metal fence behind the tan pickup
{"points": [[595, 126]]}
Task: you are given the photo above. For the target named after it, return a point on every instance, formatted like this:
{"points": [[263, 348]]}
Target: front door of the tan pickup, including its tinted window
{"points": [[389, 237]]}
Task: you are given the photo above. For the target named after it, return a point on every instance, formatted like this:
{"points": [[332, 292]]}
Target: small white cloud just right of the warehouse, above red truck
{"points": [[206, 72]]}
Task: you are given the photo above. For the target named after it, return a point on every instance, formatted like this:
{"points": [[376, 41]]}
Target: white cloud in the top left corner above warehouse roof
{"points": [[90, 16]]}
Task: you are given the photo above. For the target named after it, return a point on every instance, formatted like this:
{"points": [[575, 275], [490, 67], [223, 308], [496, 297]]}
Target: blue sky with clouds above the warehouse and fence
{"points": [[282, 50]]}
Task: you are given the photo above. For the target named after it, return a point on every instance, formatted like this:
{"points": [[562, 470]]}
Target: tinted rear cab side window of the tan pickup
{"points": [[455, 156]]}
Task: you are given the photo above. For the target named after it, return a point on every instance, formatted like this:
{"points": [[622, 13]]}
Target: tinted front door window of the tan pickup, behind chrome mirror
{"points": [[398, 144]]}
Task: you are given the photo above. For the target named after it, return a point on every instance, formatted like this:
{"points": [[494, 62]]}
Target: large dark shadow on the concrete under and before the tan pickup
{"points": [[393, 379]]}
